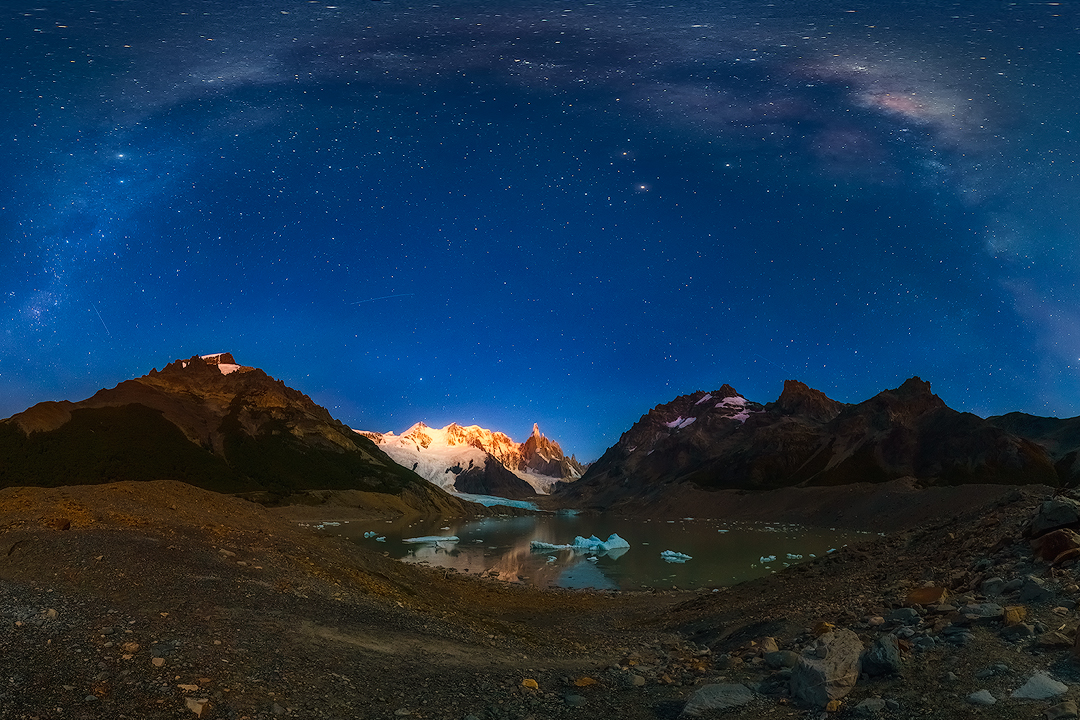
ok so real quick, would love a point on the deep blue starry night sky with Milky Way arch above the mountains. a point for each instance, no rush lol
(566, 213)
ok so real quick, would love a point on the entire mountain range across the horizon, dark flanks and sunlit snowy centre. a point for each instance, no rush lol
(221, 426)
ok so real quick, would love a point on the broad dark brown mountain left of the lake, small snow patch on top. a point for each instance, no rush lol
(207, 422)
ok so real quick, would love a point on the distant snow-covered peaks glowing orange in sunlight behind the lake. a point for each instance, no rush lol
(476, 460)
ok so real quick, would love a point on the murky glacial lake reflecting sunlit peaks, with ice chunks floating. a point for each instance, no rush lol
(721, 553)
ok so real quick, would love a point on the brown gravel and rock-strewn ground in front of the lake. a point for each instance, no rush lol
(161, 601)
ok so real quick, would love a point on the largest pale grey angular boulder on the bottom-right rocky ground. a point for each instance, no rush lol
(828, 670)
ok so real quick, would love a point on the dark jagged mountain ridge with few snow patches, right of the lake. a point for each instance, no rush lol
(722, 441)
